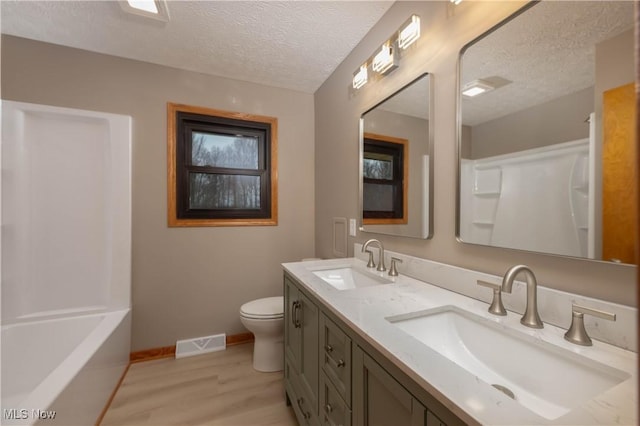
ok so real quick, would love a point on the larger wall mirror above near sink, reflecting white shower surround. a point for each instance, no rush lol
(545, 137)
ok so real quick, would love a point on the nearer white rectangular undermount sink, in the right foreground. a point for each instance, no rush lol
(544, 378)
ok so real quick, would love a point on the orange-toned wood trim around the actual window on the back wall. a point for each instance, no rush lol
(172, 217)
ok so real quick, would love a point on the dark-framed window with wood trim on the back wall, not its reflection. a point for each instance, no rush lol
(222, 168)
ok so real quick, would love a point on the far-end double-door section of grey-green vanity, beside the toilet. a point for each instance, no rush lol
(301, 353)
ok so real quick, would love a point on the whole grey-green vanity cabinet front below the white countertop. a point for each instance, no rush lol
(347, 381)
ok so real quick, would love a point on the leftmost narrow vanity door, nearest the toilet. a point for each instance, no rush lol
(292, 324)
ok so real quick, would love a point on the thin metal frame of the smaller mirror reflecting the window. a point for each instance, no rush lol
(367, 228)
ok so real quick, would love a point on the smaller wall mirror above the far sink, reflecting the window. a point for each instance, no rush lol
(396, 163)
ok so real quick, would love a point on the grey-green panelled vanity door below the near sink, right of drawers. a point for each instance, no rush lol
(378, 399)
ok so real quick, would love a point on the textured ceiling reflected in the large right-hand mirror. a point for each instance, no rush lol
(545, 53)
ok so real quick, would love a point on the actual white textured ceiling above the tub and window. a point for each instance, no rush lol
(290, 44)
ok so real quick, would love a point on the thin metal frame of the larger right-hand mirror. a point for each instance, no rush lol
(459, 83)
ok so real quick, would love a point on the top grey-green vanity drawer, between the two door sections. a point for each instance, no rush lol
(335, 347)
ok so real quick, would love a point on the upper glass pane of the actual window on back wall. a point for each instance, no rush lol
(215, 150)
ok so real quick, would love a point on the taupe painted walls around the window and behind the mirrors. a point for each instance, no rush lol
(191, 282)
